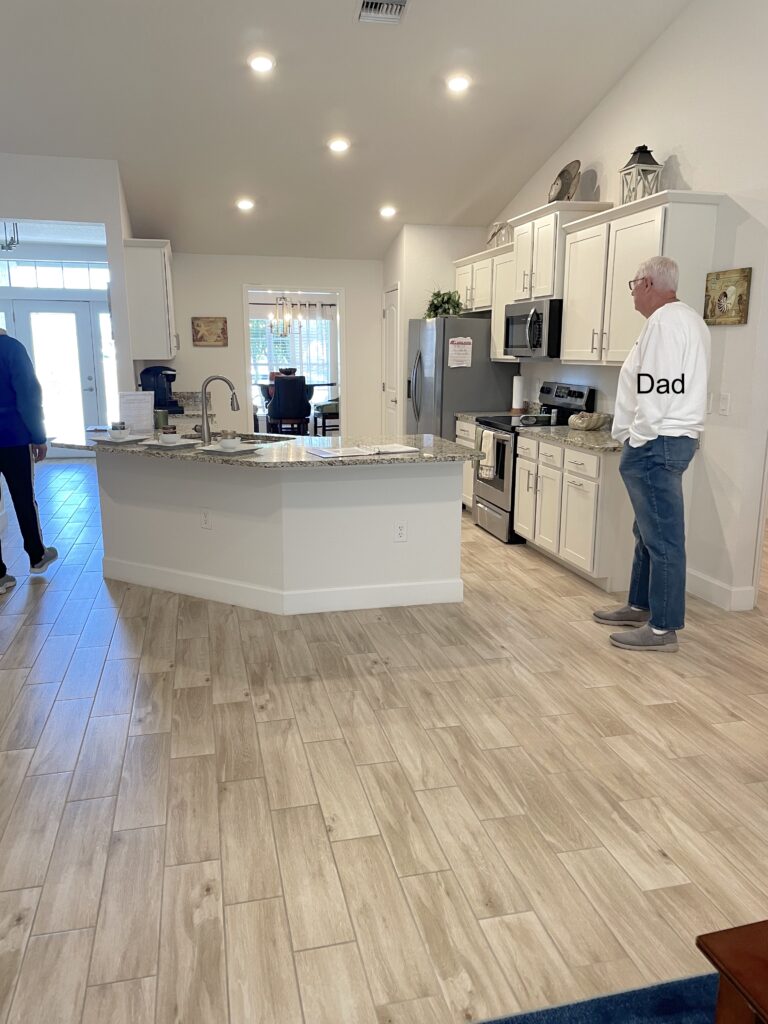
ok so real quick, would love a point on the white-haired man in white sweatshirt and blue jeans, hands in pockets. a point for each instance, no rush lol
(660, 414)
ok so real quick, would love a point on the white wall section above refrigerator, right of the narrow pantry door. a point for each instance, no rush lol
(421, 261)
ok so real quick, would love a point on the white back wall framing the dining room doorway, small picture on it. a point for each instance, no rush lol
(212, 286)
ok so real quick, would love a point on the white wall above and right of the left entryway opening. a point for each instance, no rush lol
(83, 191)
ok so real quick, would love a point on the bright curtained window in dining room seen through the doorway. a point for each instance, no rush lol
(314, 350)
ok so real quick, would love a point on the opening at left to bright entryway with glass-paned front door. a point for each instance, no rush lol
(55, 286)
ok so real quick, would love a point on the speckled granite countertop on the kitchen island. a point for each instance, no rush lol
(280, 452)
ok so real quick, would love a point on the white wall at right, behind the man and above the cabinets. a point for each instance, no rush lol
(701, 108)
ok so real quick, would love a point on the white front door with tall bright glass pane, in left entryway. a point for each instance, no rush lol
(59, 337)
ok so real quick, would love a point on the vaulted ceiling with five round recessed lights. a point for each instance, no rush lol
(163, 88)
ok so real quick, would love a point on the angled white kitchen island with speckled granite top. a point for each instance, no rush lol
(281, 530)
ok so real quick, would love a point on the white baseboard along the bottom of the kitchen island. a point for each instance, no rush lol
(284, 603)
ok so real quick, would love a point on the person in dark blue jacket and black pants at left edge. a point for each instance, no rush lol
(23, 443)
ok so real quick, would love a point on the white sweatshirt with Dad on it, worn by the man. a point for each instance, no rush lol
(673, 348)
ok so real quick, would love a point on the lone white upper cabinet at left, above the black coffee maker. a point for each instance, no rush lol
(150, 291)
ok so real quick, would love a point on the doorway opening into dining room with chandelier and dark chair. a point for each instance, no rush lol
(298, 331)
